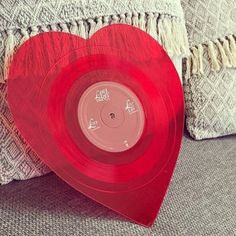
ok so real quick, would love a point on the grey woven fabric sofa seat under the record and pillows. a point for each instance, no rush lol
(200, 201)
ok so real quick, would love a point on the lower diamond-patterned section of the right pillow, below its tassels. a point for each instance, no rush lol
(211, 104)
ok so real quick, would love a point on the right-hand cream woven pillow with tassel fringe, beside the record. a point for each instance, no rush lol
(210, 71)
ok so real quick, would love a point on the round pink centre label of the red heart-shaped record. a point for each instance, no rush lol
(111, 116)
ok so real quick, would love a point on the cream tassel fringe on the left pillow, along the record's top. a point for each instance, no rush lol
(168, 30)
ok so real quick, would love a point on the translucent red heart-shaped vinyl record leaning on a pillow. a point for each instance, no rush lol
(105, 114)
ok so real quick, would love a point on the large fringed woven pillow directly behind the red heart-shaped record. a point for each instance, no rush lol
(163, 20)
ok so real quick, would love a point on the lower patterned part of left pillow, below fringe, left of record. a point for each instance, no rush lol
(17, 160)
